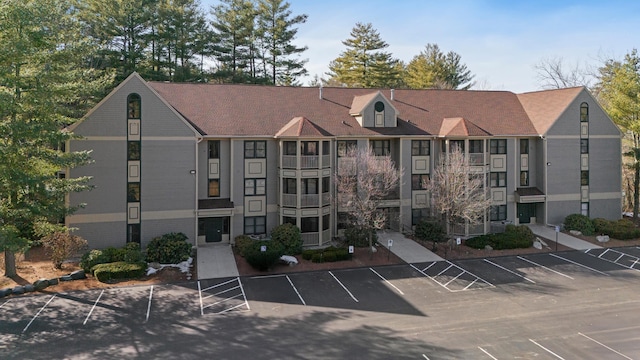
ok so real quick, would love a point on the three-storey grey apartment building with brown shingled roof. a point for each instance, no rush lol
(217, 161)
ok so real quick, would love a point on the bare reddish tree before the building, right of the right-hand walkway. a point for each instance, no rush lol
(456, 193)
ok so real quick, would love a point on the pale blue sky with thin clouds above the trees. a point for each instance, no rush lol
(499, 41)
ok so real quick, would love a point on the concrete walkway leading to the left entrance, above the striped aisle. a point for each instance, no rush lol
(216, 261)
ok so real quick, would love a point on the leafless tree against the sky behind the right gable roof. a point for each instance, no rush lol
(553, 73)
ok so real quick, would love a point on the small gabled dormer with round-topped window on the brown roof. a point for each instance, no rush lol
(374, 110)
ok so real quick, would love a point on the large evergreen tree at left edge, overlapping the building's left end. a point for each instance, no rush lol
(44, 86)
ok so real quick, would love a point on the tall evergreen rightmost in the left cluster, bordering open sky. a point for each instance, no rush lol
(276, 27)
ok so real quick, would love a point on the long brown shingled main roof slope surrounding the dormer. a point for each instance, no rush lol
(252, 110)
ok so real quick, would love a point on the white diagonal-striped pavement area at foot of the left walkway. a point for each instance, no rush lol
(219, 296)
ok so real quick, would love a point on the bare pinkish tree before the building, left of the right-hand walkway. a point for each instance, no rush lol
(362, 181)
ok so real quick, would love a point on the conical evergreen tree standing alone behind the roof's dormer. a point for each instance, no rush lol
(364, 63)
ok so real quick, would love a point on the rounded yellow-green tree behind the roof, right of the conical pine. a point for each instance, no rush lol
(432, 69)
